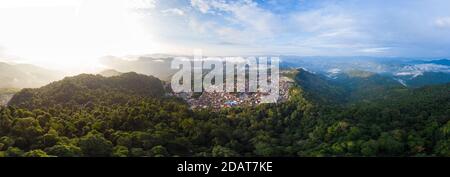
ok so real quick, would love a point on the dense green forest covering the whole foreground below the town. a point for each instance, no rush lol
(128, 115)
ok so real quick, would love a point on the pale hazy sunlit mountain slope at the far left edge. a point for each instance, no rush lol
(25, 76)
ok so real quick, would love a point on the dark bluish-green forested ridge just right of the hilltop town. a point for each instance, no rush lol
(347, 87)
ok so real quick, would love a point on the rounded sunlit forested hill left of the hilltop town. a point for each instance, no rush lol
(88, 89)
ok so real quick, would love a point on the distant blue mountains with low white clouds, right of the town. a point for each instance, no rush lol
(407, 72)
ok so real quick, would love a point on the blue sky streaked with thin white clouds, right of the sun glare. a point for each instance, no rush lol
(323, 27)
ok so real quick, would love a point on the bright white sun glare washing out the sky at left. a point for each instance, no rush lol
(72, 34)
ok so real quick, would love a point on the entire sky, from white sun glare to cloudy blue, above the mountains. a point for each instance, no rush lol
(73, 34)
